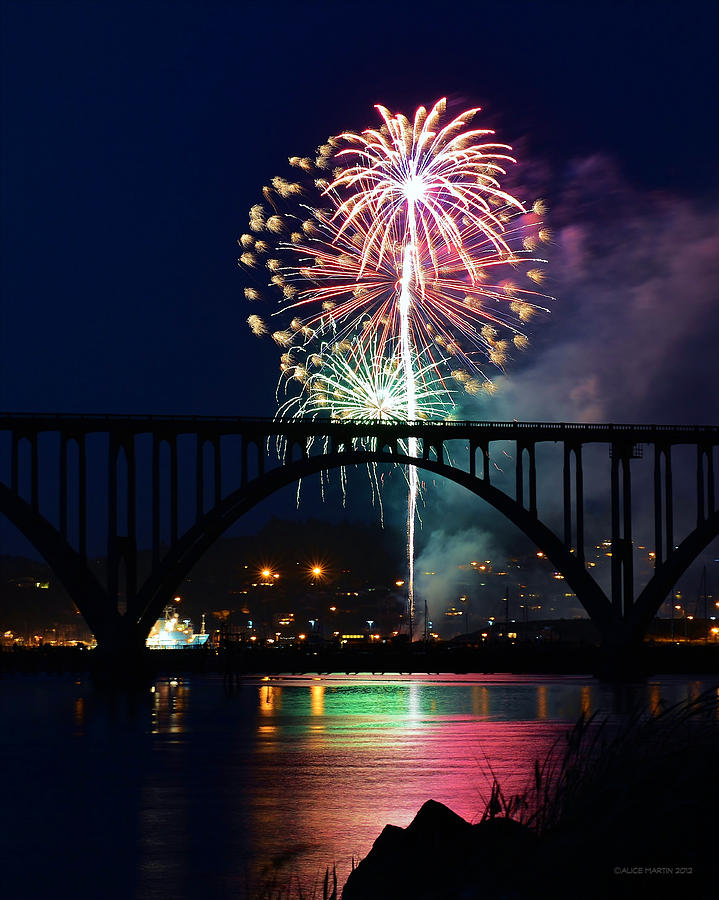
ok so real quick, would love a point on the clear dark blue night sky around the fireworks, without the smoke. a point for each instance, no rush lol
(136, 135)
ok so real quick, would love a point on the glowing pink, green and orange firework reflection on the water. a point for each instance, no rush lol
(349, 764)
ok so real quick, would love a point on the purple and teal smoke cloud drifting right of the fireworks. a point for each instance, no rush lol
(631, 338)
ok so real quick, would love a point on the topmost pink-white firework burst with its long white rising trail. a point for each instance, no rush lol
(404, 179)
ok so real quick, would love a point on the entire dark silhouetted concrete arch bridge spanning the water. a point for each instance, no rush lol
(52, 465)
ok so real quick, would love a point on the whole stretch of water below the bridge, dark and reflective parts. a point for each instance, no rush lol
(187, 791)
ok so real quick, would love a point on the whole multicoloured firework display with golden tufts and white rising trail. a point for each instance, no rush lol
(401, 257)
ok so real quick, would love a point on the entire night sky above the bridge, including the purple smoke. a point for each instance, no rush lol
(135, 136)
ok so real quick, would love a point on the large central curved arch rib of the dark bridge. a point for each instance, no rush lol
(167, 577)
